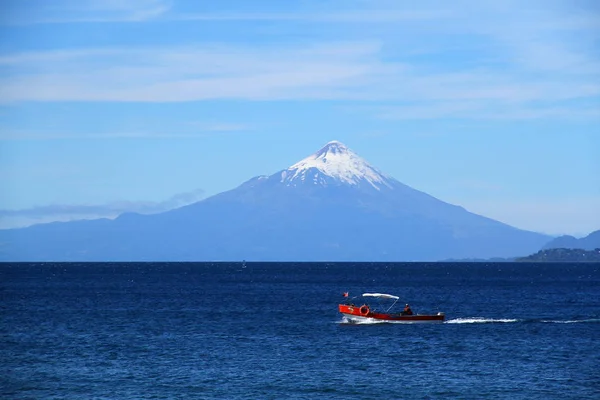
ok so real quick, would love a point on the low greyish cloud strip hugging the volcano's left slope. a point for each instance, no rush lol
(72, 212)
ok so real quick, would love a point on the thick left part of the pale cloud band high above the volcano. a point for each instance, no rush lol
(185, 74)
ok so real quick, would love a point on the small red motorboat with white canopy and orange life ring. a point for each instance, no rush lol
(365, 312)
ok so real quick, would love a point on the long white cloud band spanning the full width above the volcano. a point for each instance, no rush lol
(347, 71)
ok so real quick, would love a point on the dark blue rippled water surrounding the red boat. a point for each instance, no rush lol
(272, 331)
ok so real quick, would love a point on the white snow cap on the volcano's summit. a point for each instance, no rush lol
(335, 163)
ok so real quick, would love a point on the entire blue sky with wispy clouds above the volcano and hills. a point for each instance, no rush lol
(134, 104)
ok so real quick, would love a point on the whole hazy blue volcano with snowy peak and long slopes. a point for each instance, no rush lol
(332, 206)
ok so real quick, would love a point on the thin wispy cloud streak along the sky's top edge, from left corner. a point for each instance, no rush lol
(131, 11)
